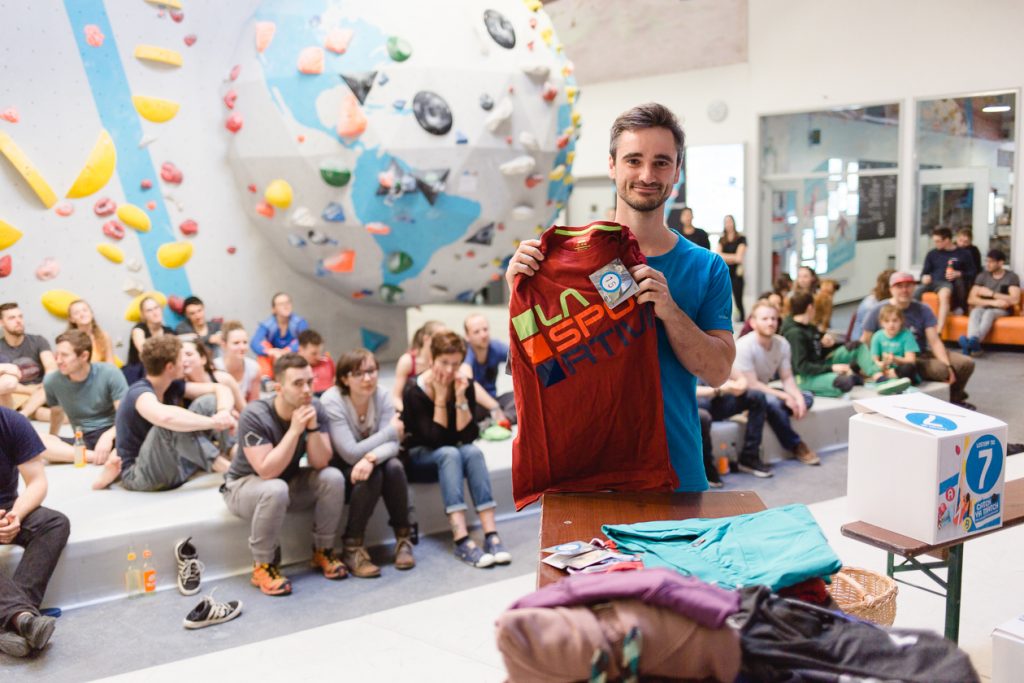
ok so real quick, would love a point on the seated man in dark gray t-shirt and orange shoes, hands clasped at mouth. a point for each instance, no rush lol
(267, 479)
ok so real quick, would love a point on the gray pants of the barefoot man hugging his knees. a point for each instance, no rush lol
(167, 458)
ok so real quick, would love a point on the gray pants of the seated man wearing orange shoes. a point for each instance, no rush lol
(266, 502)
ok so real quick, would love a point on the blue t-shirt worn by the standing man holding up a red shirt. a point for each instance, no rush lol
(699, 282)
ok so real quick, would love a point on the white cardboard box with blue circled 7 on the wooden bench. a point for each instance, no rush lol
(926, 468)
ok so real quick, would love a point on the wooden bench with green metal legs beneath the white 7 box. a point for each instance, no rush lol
(950, 554)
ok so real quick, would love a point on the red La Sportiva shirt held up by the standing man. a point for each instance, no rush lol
(588, 393)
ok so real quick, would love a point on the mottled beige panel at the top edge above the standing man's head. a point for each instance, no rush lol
(610, 40)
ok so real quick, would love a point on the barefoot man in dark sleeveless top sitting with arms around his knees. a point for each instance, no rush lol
(160, 443)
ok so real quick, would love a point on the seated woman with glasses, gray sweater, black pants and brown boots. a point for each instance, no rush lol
(366, 434)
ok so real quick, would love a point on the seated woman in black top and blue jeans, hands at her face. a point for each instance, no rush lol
(439, 418)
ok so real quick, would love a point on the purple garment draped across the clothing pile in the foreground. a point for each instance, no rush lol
(708, 606)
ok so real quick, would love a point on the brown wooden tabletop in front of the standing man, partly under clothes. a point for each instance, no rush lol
(568, 518)
